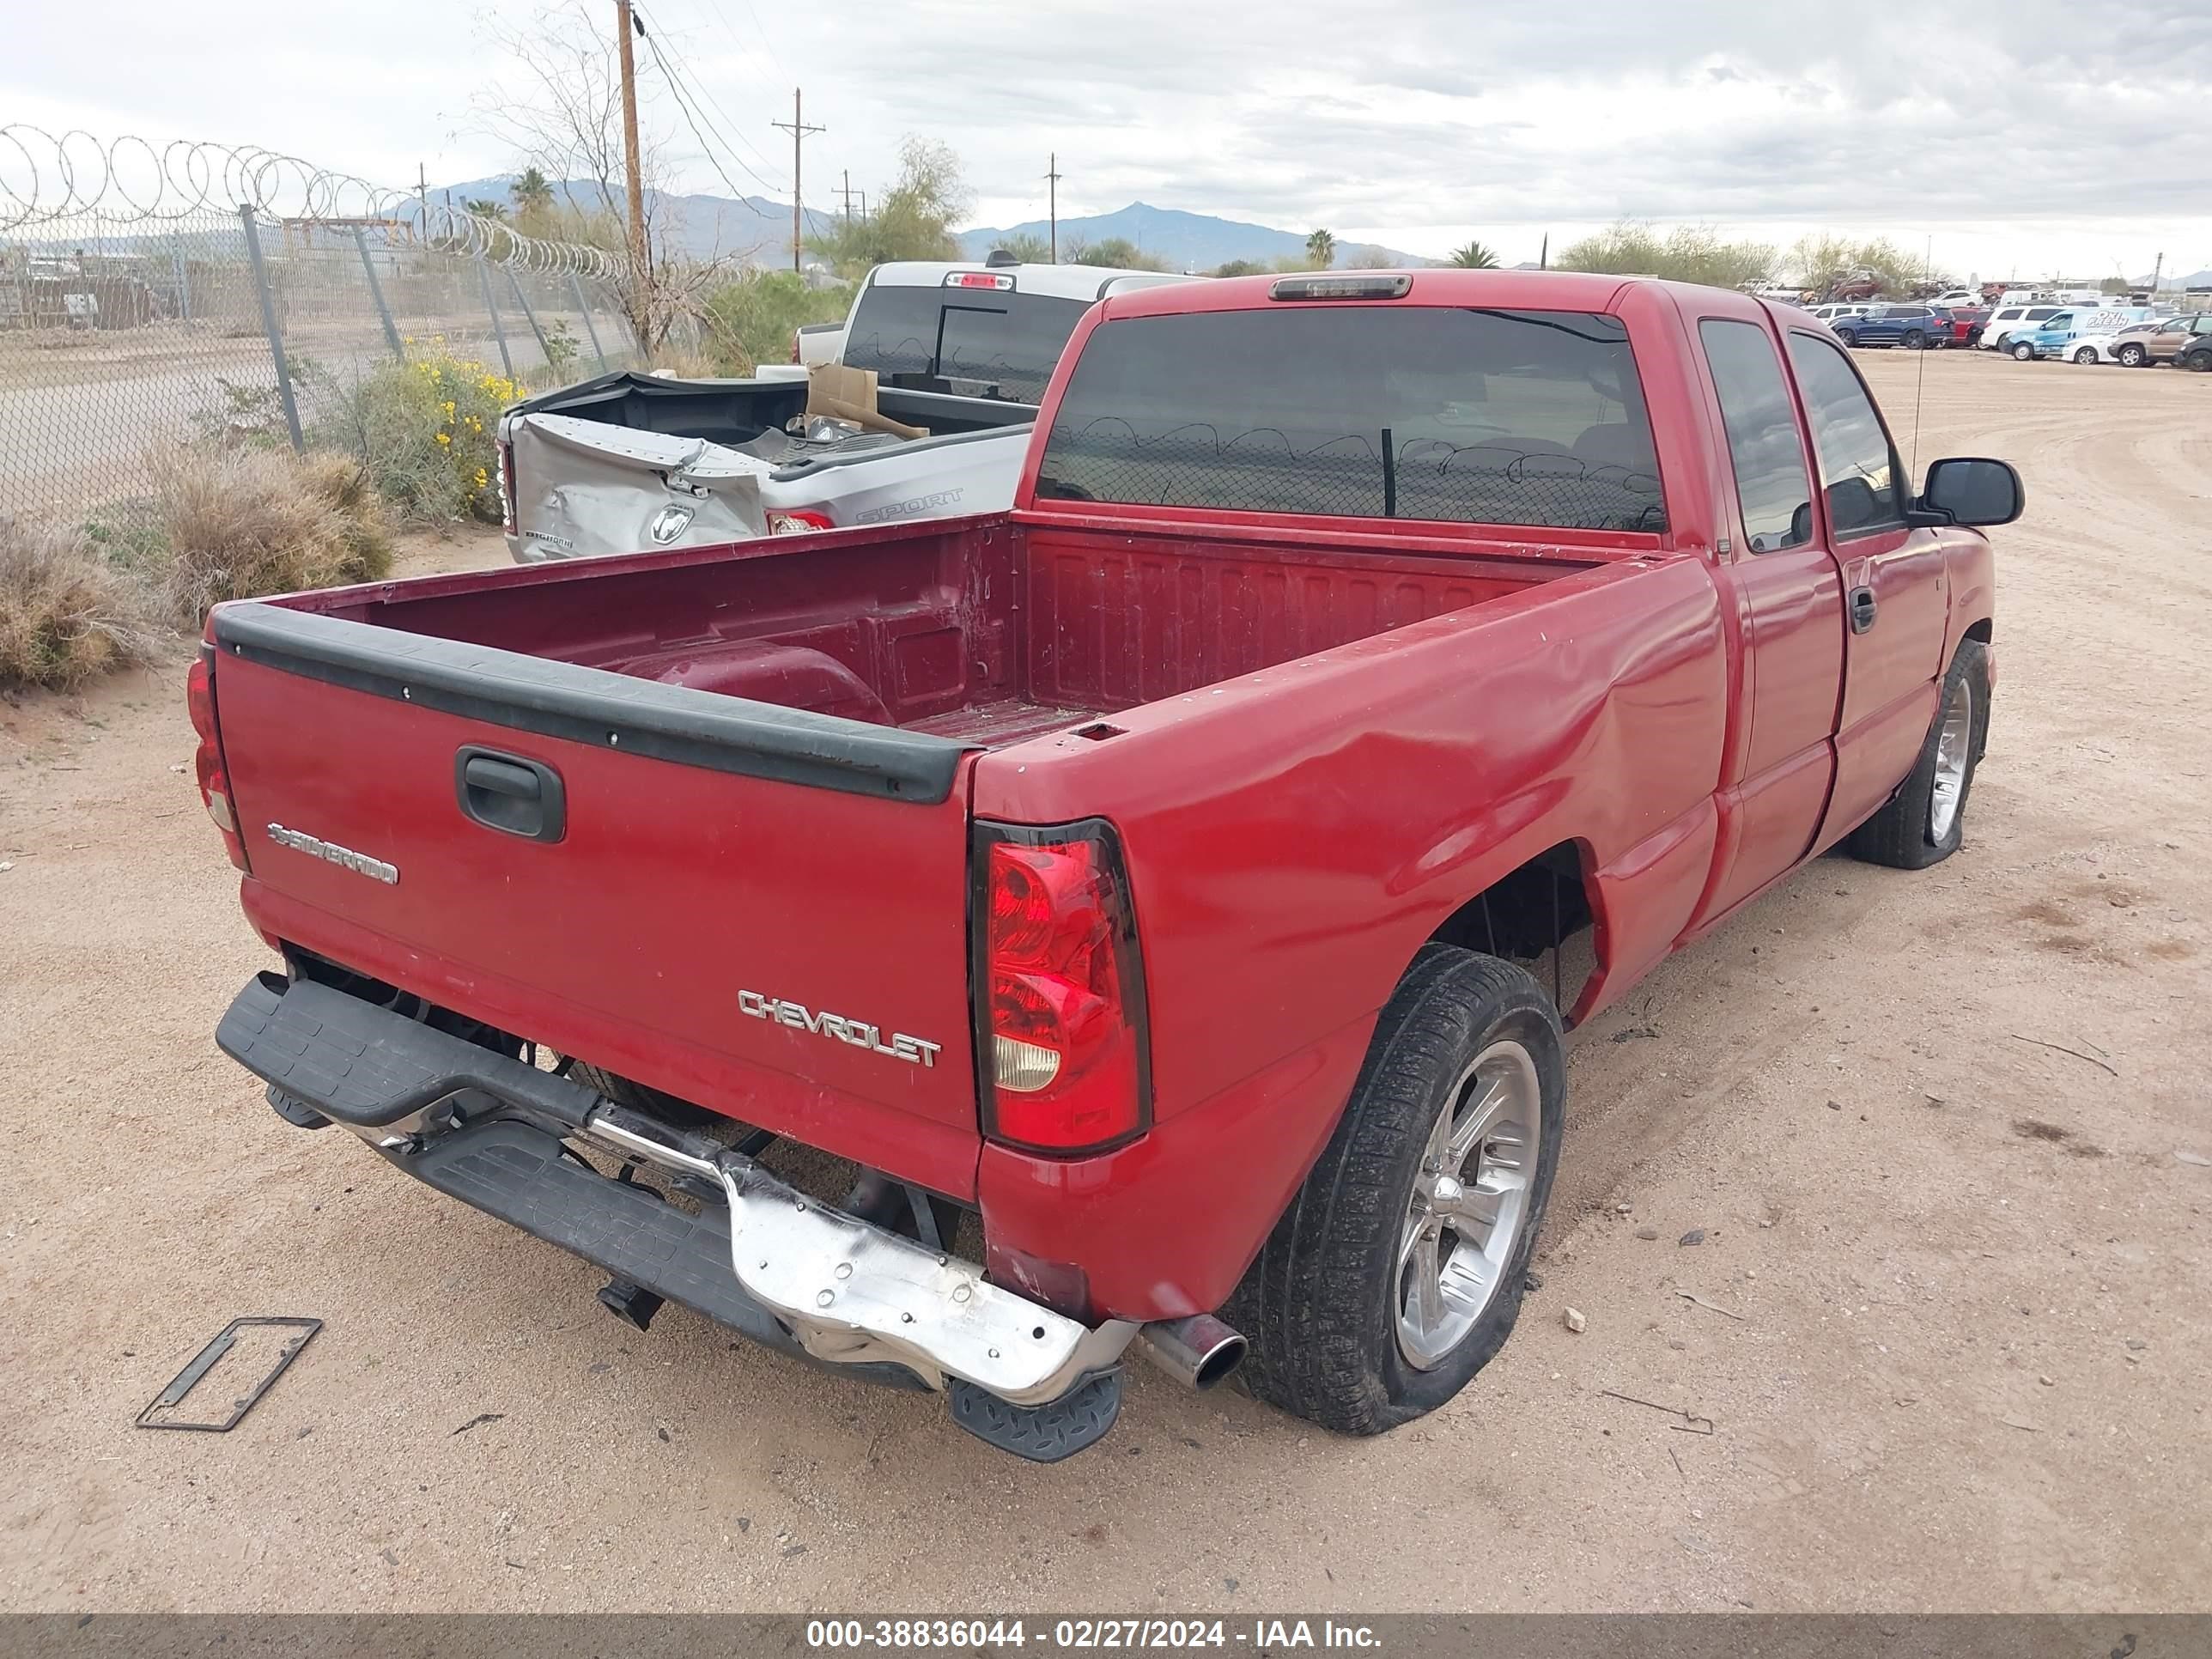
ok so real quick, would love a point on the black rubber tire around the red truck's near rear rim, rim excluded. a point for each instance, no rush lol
(1322, 1302)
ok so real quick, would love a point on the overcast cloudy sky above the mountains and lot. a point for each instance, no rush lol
(2056, 138)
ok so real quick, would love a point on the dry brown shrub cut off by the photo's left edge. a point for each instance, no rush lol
(65, 612)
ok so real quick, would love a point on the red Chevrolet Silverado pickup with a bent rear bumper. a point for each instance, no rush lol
(1145, 917)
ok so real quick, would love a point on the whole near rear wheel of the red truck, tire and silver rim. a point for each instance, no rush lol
(1399, 1269)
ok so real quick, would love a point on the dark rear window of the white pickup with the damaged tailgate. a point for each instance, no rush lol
(979, 342)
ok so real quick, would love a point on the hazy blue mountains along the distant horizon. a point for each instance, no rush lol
(760, 229)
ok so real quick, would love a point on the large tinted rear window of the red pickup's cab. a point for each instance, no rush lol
(1421, 413)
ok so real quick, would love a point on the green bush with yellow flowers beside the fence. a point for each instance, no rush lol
(426, 432)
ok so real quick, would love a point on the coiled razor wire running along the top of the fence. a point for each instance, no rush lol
(74, 178)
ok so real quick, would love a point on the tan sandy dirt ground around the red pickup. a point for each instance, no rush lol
(1950, 1335)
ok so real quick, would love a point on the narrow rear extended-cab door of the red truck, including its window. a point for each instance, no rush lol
(1788, 596)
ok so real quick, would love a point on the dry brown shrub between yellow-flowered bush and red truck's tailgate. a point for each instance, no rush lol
(262, 521)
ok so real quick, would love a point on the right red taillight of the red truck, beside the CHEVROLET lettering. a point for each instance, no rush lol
(1061, 990)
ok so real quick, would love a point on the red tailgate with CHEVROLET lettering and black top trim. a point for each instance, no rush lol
(709, 915)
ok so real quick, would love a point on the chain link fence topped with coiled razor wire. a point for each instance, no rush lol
(209, 295)
